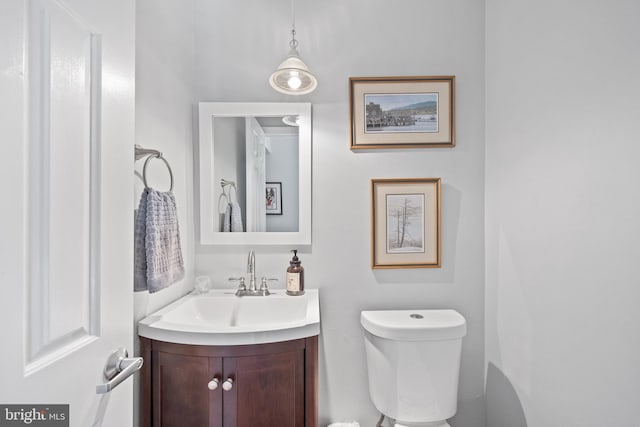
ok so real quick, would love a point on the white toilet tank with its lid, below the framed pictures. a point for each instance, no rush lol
(413, 360)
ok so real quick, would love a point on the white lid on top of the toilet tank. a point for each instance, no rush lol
(414, 325)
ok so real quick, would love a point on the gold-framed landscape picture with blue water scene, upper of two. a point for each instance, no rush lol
(402, 112)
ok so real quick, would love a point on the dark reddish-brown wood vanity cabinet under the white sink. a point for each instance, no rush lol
(272, 384)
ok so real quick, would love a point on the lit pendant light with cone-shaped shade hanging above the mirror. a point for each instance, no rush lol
(293, 76)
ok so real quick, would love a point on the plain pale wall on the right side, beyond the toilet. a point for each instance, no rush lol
(562, 213)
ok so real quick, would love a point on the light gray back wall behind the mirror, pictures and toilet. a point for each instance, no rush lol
(239, 44)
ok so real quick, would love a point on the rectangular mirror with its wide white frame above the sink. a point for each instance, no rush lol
(255, 173)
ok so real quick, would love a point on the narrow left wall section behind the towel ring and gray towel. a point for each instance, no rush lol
(164, 121)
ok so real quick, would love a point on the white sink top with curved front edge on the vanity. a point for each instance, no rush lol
(218, 317)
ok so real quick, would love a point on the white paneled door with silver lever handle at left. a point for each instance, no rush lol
(66, 235)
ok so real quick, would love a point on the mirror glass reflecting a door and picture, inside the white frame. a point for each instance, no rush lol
(250, 152)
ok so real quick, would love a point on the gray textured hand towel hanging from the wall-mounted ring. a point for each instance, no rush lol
(158, 254)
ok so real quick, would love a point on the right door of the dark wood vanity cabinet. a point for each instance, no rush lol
(268, 390)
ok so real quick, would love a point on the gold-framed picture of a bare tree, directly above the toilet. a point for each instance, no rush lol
(405, 223)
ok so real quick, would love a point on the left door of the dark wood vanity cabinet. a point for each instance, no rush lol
(181, 396)
